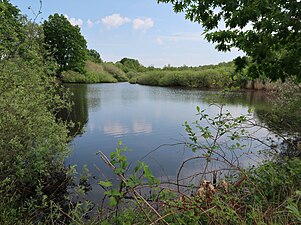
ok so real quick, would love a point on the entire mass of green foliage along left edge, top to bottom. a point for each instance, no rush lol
(33, 142)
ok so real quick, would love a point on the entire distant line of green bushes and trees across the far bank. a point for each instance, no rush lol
(222, 75)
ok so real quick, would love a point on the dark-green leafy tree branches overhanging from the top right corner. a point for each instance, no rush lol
(268, 32)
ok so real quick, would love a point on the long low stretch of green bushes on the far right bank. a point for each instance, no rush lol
(209, 76)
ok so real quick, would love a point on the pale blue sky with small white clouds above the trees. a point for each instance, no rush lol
(138, 29)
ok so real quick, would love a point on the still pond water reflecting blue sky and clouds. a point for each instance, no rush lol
(146, 119)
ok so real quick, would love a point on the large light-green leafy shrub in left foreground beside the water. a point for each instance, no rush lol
(33, 144)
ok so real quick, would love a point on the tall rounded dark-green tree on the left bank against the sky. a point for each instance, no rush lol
(65, 43)
